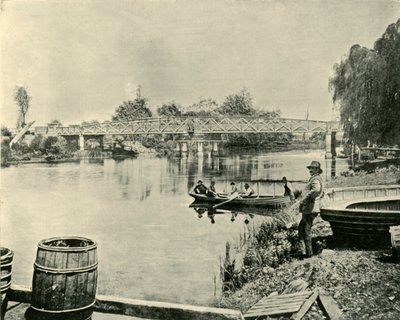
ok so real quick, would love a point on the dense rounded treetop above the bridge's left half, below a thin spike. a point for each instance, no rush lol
(132, 110)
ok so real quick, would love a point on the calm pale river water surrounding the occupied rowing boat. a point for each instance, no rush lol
(151, 245)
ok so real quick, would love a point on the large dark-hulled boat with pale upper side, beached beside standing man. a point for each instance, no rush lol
(363, 211)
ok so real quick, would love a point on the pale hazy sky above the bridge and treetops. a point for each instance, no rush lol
(79, 60)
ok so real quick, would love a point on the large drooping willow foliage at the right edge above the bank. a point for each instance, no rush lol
(366, 86)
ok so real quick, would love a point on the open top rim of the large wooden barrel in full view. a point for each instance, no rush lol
(67, 243)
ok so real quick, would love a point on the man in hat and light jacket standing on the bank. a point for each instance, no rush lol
(310, 207)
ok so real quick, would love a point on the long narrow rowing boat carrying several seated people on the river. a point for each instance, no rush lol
(262, 201)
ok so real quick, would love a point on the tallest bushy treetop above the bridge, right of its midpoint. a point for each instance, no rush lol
(238, 104)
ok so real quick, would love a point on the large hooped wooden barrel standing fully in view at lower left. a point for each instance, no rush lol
(65, 275)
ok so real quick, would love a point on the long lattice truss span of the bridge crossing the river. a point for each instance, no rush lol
(182, 125)
